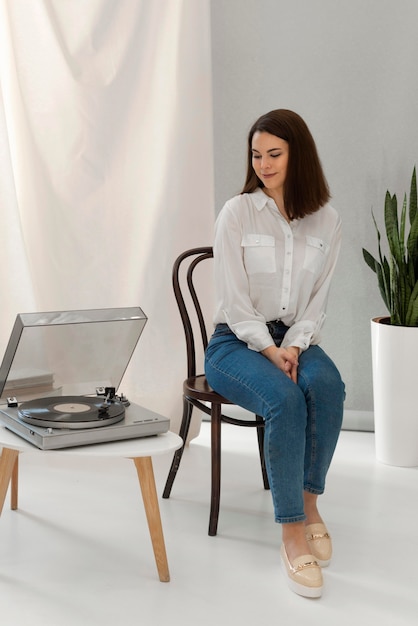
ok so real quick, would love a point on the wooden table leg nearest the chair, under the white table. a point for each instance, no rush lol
(149, 495)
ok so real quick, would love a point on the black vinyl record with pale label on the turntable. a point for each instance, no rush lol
(71, 412)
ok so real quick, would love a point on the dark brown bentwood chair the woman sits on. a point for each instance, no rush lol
(196, 390)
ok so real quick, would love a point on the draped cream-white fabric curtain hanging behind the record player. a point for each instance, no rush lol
(105, 166)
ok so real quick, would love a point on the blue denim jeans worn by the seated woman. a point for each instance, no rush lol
(302, 421)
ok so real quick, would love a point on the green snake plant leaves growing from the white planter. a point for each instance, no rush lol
(397, 275)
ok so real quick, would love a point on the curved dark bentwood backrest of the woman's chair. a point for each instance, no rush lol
(188, 302)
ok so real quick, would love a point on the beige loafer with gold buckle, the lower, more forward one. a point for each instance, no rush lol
(304, 575)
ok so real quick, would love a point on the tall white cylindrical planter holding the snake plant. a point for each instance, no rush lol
(395, 393)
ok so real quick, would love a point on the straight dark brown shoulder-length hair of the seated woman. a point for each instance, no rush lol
(305, 188)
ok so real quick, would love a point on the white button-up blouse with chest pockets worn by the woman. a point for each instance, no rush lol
(267, 269)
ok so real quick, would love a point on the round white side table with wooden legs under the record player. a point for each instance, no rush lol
(139, 450)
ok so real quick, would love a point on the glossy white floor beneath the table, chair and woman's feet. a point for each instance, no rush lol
(78, 551)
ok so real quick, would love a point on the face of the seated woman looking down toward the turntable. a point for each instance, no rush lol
(269, 160)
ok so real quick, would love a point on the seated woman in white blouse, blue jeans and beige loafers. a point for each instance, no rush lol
(275, 250)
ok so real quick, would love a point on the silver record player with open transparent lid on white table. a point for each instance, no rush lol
(60, 376)
